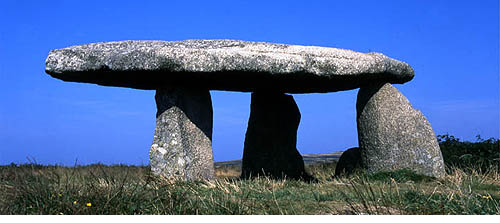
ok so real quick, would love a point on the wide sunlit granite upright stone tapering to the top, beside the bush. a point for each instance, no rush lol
(392, 135)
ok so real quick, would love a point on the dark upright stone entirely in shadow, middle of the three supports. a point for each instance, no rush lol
(271, 138)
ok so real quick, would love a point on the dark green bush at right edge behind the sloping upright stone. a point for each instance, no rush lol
(482, 155)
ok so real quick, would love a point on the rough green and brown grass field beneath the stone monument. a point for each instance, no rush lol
(100, 189)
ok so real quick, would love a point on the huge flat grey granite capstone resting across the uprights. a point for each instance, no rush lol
(224, 65)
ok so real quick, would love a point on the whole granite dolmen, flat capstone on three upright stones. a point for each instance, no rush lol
(392, 134)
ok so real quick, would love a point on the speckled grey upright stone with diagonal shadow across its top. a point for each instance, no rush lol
(182, 144)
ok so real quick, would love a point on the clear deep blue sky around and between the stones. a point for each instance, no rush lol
(453, 47)
